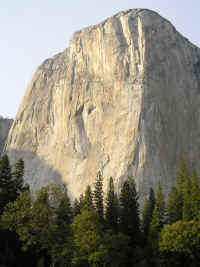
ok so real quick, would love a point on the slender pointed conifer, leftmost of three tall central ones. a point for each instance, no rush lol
(98, 196)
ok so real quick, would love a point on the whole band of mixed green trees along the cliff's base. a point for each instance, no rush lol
(47, 229)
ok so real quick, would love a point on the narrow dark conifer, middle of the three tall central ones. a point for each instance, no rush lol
(111, 212)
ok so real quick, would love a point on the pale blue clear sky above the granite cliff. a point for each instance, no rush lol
(31, 31)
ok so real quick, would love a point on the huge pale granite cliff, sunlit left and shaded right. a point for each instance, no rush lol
(124, 98)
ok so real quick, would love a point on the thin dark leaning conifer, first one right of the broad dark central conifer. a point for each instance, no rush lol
(148, 212)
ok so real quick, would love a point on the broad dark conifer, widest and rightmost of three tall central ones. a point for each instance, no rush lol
(129, 212)
